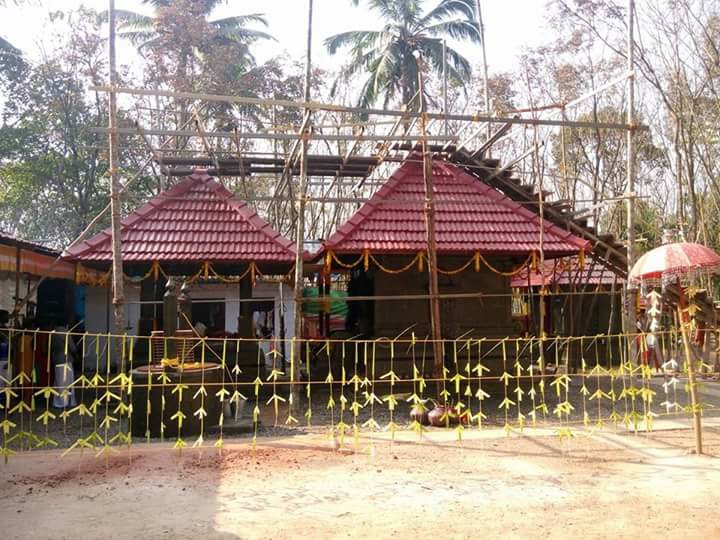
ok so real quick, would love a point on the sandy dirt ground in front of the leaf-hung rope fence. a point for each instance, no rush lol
(597, 485)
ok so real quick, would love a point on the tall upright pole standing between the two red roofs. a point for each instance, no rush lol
(300, 225)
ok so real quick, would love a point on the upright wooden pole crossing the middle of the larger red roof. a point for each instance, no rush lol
(434, 289)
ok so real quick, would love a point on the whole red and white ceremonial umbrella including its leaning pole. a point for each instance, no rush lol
(679, 263)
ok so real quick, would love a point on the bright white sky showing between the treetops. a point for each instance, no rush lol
(27, 27)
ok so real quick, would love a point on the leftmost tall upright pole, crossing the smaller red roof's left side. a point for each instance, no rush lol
(117, 265)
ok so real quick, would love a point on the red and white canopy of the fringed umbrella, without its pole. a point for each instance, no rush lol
(670, 263)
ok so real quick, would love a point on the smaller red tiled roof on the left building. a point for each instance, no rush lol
(196, 220)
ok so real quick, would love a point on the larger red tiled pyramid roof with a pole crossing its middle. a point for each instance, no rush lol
(469, 216)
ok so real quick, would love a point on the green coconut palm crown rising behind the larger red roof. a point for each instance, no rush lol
(391, 57)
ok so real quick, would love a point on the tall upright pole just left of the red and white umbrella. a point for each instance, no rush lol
(630, 295)
